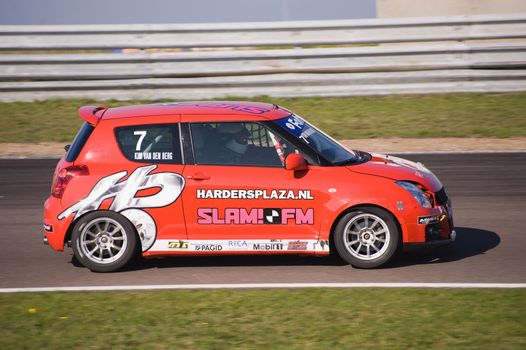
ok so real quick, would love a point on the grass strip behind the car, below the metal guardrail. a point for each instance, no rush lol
(447, 115)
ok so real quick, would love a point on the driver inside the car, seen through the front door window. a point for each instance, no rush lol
(235, 142)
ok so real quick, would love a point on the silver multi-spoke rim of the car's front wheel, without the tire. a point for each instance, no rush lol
(366, 236)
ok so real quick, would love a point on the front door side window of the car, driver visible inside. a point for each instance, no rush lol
(239, 143)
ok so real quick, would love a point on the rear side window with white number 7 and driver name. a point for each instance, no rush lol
(150, 143)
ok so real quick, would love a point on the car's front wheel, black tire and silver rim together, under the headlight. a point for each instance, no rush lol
(367, 237)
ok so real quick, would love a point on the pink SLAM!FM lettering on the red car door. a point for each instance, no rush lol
(255, 216)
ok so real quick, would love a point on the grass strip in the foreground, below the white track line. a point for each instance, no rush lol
(277, 319)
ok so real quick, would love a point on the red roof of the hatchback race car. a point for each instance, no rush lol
(212, 108)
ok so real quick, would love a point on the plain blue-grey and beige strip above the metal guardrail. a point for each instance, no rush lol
(204, 11)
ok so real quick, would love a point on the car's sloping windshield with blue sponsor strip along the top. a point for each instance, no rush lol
(321, 143)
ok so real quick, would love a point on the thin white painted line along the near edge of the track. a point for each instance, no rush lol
(262, 285)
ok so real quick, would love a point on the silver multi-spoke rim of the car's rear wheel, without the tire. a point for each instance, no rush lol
(103, 240)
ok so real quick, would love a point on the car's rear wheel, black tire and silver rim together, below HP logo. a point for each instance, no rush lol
(104, 241)
